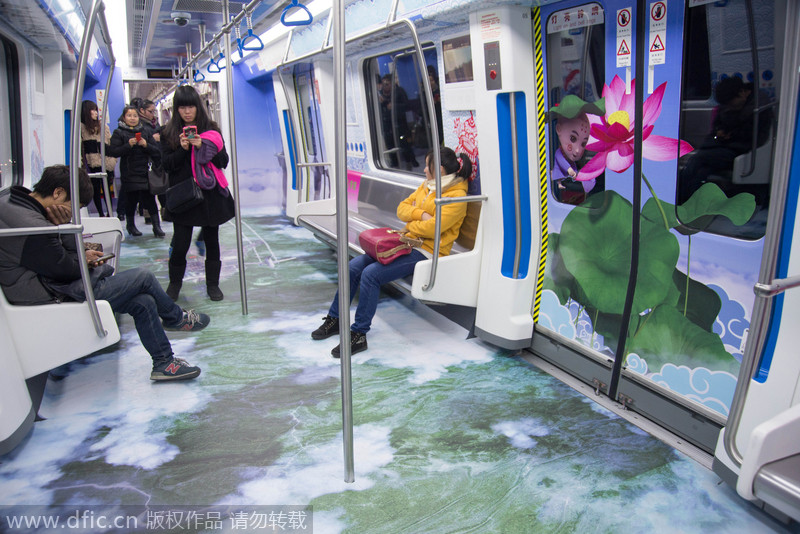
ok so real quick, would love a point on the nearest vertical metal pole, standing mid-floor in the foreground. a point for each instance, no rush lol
(340, 164)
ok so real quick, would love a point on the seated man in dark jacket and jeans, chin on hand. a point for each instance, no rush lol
(43, 269)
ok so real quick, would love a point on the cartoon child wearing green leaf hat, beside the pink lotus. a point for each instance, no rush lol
(572, 130)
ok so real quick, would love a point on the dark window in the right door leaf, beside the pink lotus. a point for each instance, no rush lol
(728, 113)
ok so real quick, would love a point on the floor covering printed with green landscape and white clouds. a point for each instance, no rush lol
(451, 435)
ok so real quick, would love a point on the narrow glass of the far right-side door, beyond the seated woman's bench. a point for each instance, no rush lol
(319, 184)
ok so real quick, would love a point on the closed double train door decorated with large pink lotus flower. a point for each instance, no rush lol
(650, 263)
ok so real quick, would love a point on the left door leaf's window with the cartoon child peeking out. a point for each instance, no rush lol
(575, 74)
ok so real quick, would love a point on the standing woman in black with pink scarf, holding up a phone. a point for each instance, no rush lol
(181, 154)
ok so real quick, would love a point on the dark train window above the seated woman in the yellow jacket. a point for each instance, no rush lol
(398, 112)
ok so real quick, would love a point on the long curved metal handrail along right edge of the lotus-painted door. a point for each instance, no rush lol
(762, 310)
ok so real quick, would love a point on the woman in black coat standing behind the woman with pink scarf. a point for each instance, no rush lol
(136, 147)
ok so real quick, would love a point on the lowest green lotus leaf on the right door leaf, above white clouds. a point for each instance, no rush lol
(666, 336)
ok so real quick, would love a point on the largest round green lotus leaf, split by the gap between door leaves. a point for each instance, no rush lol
(595, 246)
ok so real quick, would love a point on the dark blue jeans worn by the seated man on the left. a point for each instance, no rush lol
(138, 293)
